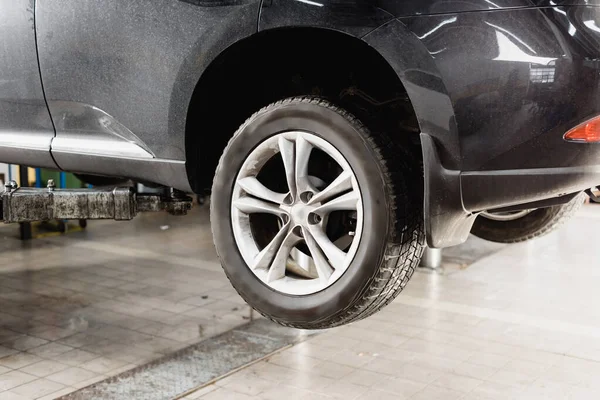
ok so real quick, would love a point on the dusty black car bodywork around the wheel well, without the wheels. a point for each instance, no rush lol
(494, 85)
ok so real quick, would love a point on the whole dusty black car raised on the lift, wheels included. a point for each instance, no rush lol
(344, 134)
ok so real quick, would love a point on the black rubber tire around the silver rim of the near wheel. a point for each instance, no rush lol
(391, 238)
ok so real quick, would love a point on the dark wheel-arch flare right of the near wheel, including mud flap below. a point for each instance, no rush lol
(446, 221)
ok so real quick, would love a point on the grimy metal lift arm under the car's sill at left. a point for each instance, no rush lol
(44, 204)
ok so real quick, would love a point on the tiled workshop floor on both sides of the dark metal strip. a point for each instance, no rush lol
(522, 323)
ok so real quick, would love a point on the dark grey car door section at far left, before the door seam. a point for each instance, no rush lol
(25, 127)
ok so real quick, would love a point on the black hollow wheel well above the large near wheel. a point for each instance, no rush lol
(230, 73)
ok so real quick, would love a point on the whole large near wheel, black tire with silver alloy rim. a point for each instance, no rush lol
(316, 221)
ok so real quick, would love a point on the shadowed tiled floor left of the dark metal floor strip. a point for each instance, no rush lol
(78, 308)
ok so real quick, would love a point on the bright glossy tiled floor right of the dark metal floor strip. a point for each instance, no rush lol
(523, 323)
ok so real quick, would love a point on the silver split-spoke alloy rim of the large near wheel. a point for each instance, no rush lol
(301, 257)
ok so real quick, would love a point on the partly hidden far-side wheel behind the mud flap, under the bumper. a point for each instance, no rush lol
(538, 222)
